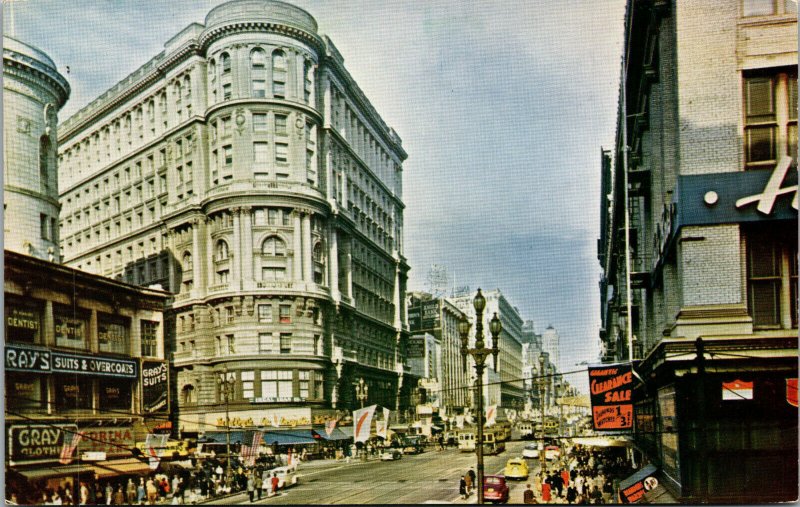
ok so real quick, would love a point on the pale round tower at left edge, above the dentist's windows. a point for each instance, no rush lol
(33, 92)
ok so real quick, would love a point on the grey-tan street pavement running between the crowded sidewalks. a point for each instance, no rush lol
(432, 476)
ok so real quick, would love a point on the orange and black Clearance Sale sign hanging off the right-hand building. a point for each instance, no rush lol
(611, 388)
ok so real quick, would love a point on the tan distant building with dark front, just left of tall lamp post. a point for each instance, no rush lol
(439, 317)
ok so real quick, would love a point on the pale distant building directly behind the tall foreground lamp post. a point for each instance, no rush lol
(503, 387)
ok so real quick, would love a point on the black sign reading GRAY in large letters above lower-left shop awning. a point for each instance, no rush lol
(37, 442)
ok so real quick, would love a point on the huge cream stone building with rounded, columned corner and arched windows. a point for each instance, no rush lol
(244, 170)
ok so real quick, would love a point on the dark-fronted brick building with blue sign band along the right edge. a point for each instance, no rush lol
(706, 157)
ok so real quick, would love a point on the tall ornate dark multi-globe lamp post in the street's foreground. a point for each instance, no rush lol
(479, 354)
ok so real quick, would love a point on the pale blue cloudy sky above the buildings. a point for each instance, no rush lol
(503, 107)
